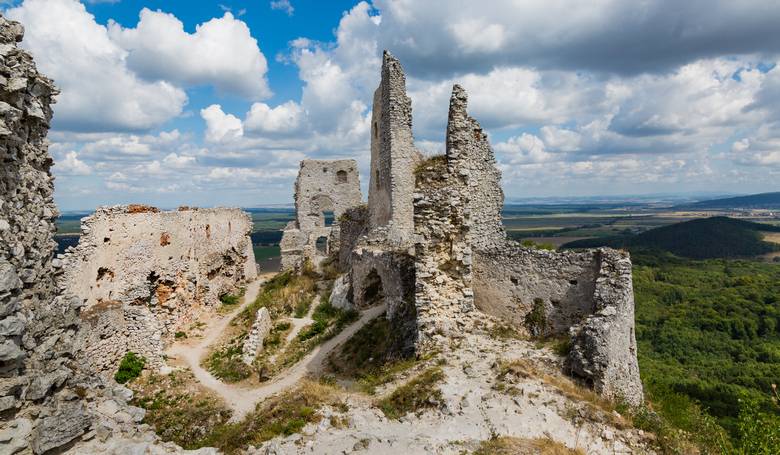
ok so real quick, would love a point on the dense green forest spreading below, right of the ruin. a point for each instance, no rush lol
(709, 330)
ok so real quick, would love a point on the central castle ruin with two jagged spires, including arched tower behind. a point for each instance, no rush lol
(431, 244)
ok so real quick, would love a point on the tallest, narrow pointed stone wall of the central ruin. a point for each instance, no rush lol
(393, 154)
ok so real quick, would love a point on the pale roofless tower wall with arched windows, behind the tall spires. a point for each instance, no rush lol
(322, 186)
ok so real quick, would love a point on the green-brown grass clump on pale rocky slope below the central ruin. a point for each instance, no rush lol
(420, 393)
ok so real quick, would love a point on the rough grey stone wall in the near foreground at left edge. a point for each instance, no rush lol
(37, 327)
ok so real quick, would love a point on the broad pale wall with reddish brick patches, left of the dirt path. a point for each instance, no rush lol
(143, 275)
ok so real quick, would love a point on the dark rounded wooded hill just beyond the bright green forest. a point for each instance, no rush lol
(716, 237)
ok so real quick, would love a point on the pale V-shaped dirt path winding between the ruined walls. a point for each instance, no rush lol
(242, 400)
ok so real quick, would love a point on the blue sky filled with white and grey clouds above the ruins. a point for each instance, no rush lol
(201, 103)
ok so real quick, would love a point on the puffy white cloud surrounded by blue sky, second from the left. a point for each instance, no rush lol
(221, 52)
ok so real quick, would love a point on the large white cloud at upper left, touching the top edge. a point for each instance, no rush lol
(99, 92)
